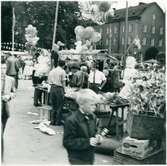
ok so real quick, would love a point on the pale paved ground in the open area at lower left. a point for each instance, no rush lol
(26, 145)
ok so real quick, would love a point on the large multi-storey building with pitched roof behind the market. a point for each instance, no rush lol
(145, 21)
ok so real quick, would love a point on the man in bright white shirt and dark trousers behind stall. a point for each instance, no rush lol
(96, 79)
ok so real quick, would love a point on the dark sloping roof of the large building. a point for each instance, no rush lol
(133, 12)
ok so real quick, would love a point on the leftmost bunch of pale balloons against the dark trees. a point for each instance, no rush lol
(31, 35)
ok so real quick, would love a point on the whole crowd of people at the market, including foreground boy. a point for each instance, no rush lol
(80, 130)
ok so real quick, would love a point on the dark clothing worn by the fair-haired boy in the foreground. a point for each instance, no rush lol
(77, 132)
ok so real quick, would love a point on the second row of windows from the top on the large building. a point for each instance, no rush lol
(143, 42)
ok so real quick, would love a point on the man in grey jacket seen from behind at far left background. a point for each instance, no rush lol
(12, 68)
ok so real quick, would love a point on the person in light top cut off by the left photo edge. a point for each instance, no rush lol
(7, 86)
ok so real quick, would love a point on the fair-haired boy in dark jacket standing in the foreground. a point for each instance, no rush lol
(80, 130)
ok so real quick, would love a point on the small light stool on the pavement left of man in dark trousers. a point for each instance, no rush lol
(44, 112)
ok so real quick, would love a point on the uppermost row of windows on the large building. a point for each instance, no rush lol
(145, 29)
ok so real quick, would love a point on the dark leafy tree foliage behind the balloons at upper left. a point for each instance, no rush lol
(41, 14)
